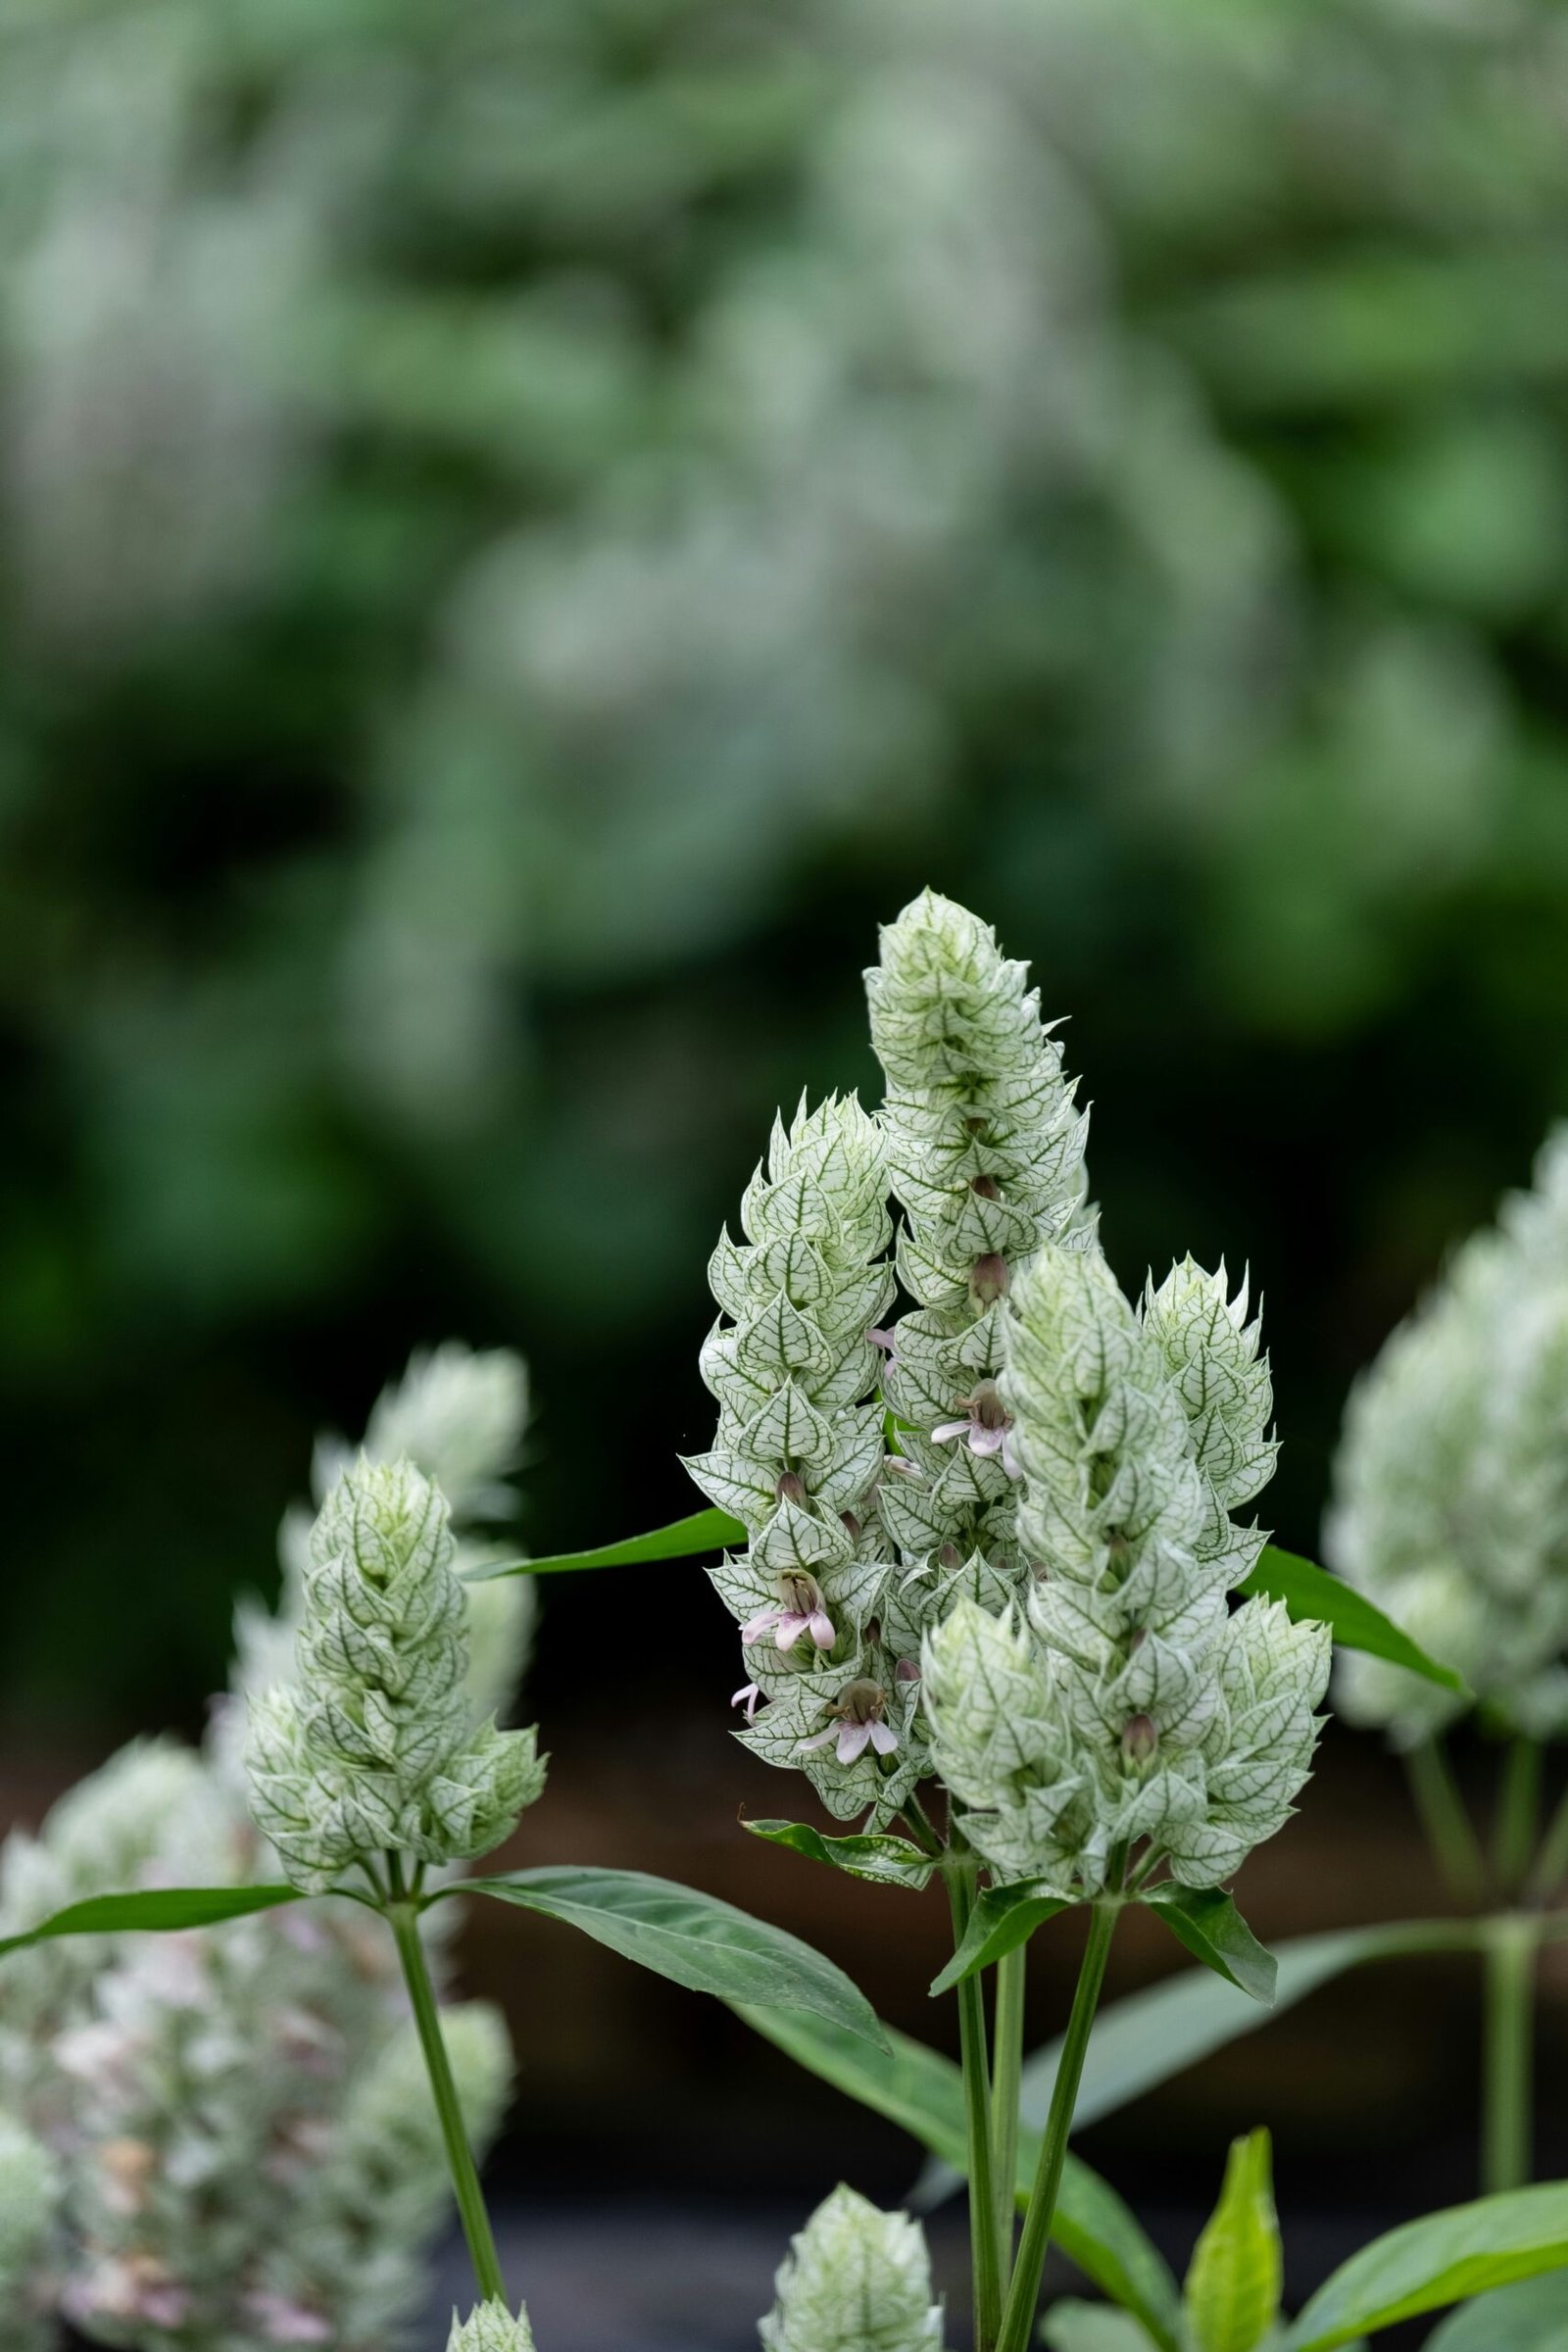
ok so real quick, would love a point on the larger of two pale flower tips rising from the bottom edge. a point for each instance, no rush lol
(857, 2280)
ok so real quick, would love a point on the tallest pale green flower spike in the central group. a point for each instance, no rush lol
(986, 1158)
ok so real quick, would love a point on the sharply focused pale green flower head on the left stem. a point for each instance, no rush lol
(375, 1751)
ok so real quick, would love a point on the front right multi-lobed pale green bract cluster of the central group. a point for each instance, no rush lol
(1127, 1702)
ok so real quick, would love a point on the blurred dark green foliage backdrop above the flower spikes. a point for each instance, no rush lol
(530, 523)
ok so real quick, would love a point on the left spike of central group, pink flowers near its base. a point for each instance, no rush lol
(798, 1457)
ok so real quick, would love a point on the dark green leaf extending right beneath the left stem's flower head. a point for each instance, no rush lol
(692, 1939)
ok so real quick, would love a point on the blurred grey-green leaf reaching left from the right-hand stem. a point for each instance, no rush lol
(1153, 2036)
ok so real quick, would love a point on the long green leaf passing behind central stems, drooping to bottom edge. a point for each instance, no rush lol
(925, 2092)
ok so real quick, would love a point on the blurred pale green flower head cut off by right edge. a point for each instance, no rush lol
(1452, 1483)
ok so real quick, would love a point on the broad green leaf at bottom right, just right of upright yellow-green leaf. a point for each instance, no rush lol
(1440, 2259)
